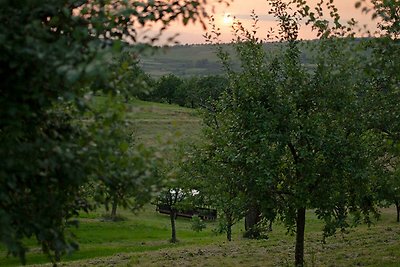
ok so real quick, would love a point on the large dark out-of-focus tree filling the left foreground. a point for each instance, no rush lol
(52, 53)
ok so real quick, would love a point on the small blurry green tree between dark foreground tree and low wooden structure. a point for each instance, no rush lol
(127, 172)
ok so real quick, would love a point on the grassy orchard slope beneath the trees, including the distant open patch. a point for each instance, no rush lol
(142, 239)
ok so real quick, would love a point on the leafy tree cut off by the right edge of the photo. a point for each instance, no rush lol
(382, 94)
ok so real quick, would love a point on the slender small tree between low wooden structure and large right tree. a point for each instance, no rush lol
(218, 183)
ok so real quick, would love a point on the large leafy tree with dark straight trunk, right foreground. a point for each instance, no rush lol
(296, 134)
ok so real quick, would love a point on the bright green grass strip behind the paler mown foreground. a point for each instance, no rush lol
(145, 231)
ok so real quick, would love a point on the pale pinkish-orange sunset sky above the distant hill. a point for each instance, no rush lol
(241, 9)
